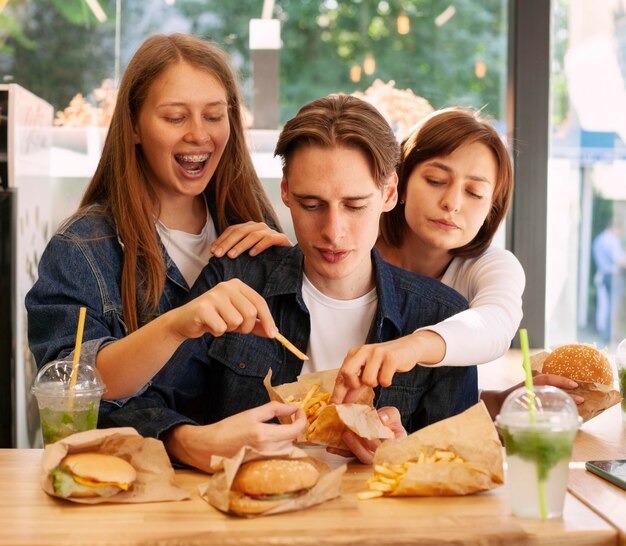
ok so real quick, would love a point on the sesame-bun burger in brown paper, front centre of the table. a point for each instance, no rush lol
(253, 483)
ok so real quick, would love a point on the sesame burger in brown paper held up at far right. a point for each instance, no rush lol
(589, 367)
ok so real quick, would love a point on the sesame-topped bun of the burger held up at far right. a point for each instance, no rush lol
(580, 363)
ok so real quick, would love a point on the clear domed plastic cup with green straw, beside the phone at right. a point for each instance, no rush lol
(538, 453)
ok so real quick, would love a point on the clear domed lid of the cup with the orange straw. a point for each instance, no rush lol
(54, 380)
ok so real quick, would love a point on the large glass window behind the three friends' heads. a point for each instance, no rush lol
(449, 53)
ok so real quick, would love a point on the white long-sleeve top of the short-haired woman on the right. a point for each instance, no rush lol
(493, 284)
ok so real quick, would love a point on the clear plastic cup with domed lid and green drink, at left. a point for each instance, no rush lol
(62, 410)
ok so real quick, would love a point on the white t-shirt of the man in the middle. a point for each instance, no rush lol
(336, 326)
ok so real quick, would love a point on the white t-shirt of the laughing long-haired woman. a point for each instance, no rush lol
(190, 252)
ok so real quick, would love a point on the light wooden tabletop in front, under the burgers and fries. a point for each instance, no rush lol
(30, 517)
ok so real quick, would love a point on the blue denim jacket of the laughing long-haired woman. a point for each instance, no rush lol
(82, 266)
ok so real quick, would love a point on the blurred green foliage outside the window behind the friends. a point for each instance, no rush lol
(57, 48)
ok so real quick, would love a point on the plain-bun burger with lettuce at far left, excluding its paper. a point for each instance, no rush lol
(92, 475)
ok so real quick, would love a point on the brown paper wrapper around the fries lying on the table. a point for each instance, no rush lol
(471, 435)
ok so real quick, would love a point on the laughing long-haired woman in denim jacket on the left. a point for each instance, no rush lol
(174, 186)
